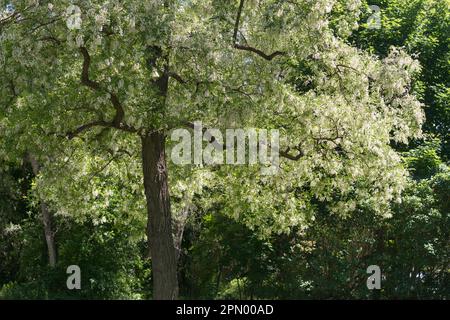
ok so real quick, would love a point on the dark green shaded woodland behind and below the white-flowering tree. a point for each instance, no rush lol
(222, 258)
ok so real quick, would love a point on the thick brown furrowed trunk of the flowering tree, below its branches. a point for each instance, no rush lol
(159, 228)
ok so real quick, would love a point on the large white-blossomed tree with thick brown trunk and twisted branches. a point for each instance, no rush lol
(115, 77)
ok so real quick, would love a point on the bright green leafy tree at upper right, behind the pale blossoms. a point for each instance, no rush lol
(421, 27)
